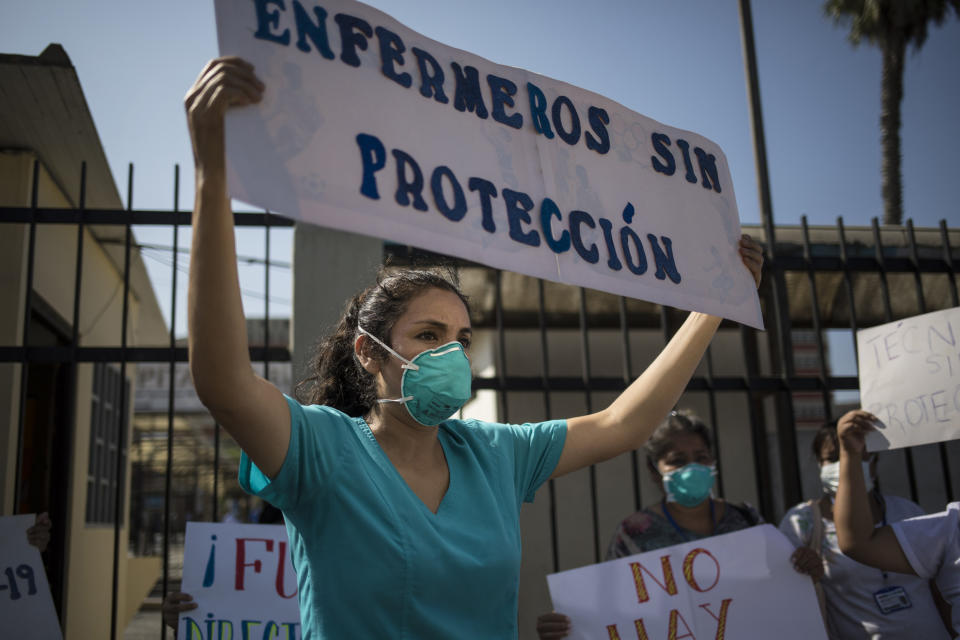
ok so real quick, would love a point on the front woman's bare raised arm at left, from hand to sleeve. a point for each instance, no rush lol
(251, 409)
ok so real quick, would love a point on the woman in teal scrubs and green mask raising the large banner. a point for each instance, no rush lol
(403, 519)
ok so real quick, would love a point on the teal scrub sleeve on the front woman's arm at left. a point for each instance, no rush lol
(316, 433)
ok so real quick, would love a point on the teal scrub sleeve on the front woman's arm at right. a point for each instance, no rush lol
(537, 448)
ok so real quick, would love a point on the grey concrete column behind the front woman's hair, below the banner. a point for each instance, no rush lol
(329, 267)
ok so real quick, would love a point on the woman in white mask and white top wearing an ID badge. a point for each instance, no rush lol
(859, 601)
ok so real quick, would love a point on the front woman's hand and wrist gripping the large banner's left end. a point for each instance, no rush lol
(223, 83)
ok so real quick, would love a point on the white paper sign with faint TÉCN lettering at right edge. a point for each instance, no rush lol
(910, 379)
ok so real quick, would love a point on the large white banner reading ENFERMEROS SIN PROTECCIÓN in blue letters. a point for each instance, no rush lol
(369, 127)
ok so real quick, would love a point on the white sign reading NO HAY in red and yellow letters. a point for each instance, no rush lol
(733, 586)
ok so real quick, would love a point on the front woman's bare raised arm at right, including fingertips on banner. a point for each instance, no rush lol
(631, 418)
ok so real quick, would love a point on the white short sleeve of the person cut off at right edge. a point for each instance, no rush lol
(926, 540)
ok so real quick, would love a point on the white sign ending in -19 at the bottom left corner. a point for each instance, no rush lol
(26, 607)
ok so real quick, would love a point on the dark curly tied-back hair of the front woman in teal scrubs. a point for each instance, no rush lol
(335, 377)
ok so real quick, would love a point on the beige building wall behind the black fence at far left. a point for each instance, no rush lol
(89, 547)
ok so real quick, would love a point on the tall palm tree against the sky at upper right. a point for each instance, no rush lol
(891, 25)
